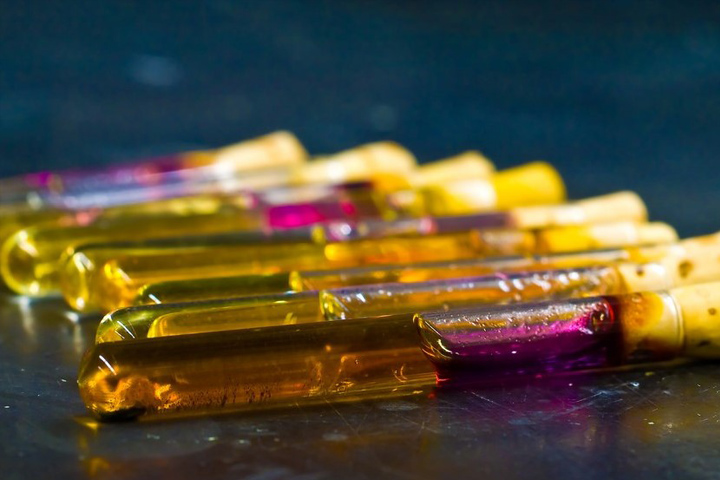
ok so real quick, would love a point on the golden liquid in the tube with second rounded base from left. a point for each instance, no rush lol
(107, 279)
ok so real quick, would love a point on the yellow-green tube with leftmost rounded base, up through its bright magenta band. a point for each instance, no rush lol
(30, 259)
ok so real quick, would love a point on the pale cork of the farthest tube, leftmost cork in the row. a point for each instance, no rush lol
(279, 149)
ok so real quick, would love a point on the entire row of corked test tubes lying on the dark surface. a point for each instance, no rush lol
(253, 276)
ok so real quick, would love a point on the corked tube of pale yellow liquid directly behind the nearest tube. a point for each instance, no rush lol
(396, 298)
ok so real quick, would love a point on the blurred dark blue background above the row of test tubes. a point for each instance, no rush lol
(617, 94)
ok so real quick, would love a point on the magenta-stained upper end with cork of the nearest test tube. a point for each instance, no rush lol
(576, 334)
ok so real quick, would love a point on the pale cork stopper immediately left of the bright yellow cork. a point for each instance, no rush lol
(466, 165)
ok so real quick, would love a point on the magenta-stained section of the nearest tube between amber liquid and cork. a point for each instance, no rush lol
(525, 339)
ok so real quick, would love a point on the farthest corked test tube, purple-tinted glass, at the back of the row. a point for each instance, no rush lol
(66, 189)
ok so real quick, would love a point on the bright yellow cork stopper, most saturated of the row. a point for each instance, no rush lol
(533, 183)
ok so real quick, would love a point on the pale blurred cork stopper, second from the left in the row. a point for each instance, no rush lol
(366, 162)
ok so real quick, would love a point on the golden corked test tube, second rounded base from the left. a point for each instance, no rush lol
(105, 278)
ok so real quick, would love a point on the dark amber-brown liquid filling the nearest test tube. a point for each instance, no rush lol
(249, 370)
